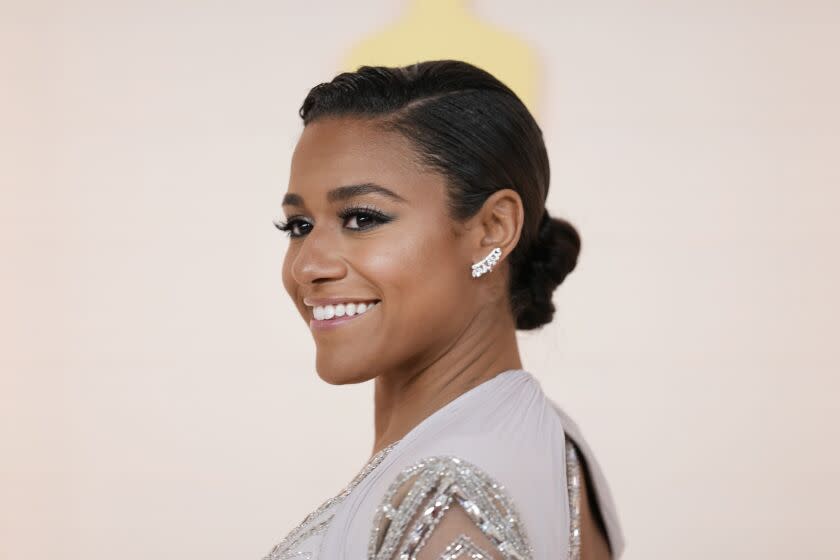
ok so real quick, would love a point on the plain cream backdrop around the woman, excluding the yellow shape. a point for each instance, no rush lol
(158, 397)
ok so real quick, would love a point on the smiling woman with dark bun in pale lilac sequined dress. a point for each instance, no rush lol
(419, 244)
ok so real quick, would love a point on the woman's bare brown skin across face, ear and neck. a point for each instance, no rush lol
(437, 331)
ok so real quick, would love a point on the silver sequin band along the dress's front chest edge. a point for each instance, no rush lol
(312, 525)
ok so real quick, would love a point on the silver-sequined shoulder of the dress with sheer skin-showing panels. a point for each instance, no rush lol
(444, 506)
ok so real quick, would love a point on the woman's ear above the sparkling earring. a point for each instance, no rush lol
(498, 224)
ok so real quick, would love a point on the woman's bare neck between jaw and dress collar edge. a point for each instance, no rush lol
(402, 400)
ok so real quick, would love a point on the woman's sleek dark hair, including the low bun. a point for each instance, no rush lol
(469, 126)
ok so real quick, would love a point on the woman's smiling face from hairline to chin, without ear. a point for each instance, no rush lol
(354, 244)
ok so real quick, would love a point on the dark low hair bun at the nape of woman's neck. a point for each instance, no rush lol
(551, 257)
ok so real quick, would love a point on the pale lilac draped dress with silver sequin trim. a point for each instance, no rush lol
(494, 473)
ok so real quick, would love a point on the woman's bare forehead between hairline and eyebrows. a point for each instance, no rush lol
(336, 151)
